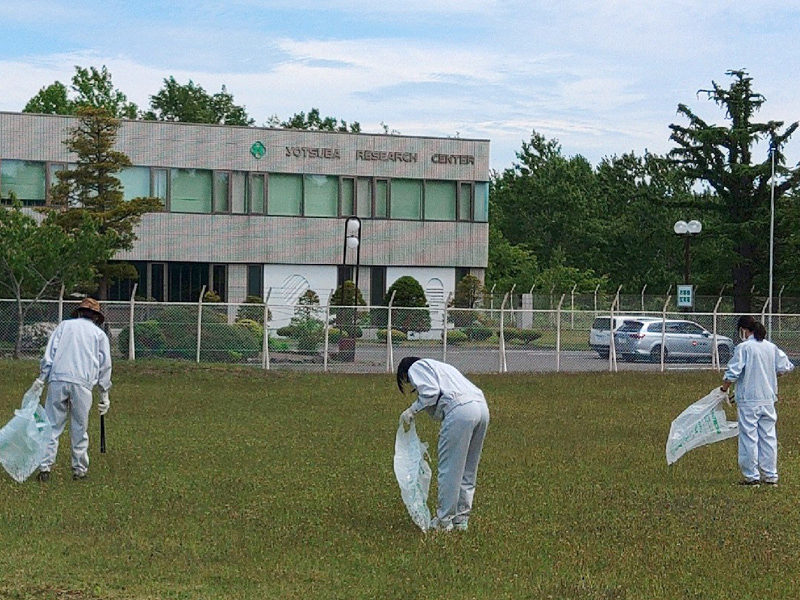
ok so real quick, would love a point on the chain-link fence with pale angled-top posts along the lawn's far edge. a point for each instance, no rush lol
(375, 338)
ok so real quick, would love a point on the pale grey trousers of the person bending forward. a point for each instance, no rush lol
(459, 452)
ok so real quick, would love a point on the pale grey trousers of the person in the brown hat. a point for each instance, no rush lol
(68, 400)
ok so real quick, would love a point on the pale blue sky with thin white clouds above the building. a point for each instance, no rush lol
(602, 77)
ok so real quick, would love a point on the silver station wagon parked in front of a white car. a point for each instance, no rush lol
(683, 341)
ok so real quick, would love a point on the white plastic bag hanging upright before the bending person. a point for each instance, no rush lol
(413, 474)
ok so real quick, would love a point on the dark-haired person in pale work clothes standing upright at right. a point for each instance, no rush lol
(755, 367)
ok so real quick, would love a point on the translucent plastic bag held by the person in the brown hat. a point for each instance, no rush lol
(24, 439)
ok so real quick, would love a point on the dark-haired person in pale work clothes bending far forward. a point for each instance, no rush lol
(447, 396)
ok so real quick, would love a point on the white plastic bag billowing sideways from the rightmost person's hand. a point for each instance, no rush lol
(703, 422)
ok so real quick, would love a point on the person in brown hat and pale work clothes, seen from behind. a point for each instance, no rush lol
(77, 357)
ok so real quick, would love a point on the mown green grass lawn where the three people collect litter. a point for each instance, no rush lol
(236, 483)
